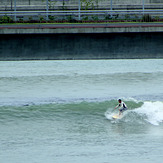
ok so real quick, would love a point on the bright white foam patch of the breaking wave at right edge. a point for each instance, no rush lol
(152, 112)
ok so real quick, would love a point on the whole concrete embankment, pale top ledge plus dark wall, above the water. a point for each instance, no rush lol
(81, 41)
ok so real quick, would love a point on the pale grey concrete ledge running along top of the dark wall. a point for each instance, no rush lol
(80, 28)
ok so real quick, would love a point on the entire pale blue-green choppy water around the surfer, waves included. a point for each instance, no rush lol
(60, 111)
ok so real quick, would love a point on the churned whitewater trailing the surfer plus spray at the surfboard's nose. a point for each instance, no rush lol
(147, 113)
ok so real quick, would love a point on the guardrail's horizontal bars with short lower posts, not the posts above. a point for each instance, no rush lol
(80, 13)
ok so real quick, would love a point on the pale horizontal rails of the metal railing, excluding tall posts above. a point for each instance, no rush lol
(81, 12)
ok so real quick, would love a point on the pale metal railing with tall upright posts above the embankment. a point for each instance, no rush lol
(78, 14)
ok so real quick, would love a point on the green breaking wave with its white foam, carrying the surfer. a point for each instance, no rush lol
(138, 113)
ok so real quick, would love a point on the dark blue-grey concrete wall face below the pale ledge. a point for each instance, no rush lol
(81, 46)
